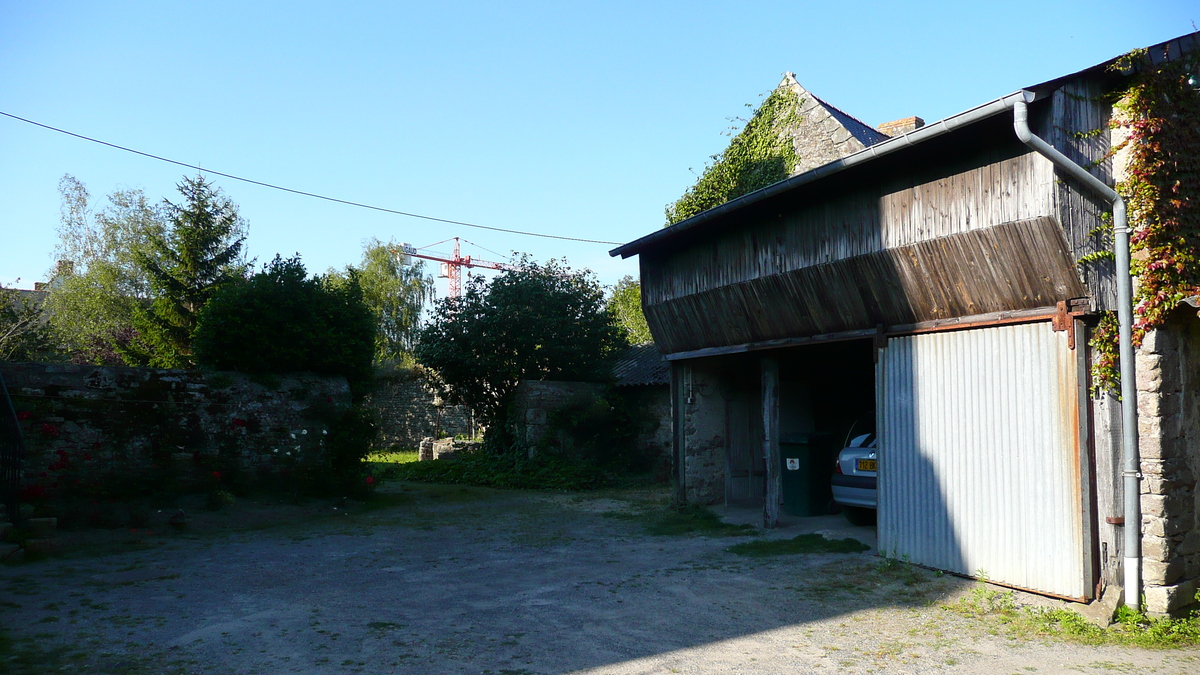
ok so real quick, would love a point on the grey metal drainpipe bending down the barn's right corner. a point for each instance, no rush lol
(1125, 318)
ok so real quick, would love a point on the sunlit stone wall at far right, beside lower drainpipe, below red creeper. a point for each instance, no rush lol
(1169, 437)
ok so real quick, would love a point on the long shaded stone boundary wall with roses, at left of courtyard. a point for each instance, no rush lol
(86, 427)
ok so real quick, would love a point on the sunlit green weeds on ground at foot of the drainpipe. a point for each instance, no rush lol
(1131, 628)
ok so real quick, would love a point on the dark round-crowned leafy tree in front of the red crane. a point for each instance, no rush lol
(533, 322)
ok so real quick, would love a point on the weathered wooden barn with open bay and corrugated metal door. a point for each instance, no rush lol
(928, 288)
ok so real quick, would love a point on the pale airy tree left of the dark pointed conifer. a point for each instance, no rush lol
(98, 284)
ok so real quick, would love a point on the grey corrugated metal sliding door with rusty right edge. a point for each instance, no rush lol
(980, 464)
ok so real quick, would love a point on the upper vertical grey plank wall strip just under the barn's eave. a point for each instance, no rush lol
(865, 222)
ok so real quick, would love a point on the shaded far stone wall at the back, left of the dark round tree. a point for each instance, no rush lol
(410, 410)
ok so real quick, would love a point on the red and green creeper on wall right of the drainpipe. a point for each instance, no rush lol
(1161, 116)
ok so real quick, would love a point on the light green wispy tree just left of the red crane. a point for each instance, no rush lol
(397, 295)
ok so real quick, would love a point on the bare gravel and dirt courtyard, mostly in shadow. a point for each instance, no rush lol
(449, 581)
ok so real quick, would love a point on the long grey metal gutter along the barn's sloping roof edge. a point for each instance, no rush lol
(940, 128)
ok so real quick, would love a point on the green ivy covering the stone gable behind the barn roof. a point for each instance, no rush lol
(760, 156)
